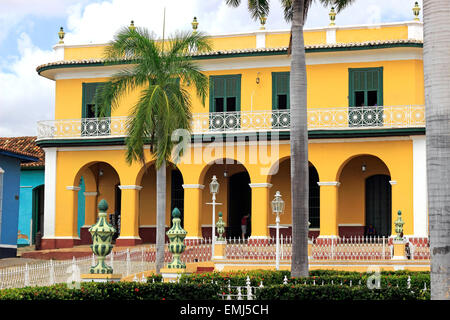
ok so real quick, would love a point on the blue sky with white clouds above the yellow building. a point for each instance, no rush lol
(28, 31)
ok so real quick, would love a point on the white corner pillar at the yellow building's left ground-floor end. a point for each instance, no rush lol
(50, 192)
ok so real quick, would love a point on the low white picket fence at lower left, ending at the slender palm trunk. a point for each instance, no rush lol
(67, 271)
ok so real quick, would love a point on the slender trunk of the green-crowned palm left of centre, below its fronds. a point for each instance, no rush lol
(160, 216)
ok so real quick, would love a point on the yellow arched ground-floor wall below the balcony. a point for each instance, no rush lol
(395, 158)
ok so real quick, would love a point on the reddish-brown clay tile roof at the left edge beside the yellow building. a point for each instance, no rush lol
(24, 146)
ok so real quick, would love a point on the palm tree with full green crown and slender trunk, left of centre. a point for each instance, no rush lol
(157, 69)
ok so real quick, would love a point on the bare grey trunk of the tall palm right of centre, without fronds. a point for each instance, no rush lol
(299, 146)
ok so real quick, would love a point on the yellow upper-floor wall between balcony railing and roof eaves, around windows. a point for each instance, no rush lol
(402, 85)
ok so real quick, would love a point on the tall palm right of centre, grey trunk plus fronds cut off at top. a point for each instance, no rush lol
(295, 11)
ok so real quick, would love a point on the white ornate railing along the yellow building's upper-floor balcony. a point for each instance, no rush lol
(351, 118)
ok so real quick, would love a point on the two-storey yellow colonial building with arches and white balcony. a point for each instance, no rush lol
(366, 124)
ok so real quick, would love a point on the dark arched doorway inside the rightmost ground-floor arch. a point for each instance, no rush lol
(378, 205)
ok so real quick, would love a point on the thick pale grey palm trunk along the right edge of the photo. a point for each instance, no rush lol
(436, 56)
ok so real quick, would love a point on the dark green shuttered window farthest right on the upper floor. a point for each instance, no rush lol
(366, 87)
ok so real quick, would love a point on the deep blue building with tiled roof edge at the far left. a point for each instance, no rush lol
(11, 157)
